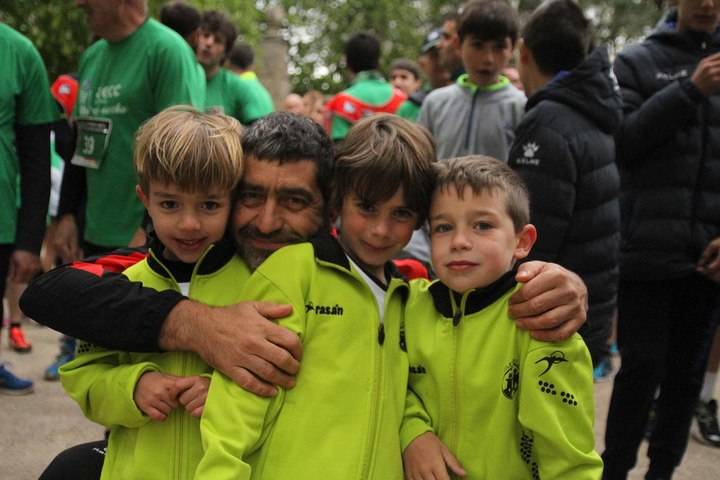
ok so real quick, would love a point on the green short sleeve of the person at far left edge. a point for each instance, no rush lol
(35, 105)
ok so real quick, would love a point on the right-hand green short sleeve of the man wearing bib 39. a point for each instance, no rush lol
(175, 78)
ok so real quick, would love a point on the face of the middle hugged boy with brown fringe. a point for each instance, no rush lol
(374, 234)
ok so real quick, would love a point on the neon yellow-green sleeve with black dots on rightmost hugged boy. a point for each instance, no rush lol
(556, 410)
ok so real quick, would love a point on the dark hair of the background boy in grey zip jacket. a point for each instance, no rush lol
(488, 20)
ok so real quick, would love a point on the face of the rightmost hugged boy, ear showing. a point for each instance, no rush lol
(473, 239)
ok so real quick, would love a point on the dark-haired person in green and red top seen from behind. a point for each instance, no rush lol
(369, 92)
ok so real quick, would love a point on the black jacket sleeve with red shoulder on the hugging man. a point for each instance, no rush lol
(90, 300)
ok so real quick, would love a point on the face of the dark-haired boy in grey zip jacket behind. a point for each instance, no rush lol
(484, 60)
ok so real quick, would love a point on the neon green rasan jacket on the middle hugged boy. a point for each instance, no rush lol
(342, 419)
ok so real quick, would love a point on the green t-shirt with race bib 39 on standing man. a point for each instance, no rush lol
(122, 84)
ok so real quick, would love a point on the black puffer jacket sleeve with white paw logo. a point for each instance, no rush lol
(545, 160)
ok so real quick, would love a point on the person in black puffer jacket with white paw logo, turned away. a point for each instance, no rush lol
(565, 151)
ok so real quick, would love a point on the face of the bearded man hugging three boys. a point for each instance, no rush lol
(277, 205)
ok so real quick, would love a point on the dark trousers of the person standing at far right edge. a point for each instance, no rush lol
(664, 336)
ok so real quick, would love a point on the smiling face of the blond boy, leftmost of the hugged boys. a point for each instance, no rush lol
(186, 223)
